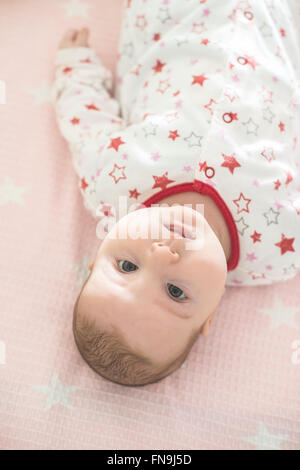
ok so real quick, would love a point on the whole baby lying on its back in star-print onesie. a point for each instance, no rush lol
(206, 154)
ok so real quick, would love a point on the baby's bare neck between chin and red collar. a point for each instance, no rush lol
(211, 213)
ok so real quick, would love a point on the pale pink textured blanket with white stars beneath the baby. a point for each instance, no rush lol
(239, 387)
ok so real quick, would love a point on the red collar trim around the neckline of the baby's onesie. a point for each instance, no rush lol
(206, 189)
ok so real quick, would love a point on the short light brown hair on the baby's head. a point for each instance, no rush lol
(109, 355)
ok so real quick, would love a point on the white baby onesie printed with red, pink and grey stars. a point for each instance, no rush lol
(209, 95)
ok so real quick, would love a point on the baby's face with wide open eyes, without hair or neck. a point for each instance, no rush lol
(159, 288)
